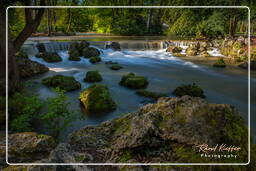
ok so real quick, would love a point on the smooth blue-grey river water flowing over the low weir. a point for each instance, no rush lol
(147, 58)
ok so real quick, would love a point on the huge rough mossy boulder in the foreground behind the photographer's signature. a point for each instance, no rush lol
(167, 131)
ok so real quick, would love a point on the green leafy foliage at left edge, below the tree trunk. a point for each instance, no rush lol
(25, 109)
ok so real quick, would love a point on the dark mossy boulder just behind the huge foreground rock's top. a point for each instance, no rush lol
(190, 90)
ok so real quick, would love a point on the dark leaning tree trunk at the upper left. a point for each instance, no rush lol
(33, 18)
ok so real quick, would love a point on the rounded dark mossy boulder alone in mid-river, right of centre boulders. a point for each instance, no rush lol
(132, 81)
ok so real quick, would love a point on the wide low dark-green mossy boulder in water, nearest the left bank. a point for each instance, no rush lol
(67, 83)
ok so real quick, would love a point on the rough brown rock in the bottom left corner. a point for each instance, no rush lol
(28, 147)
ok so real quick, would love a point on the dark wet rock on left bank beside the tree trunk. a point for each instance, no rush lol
(28, 68)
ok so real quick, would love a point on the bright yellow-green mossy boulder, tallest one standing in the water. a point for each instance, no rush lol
(97, 99)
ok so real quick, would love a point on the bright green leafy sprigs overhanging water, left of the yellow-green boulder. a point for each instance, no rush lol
(58, 116)
